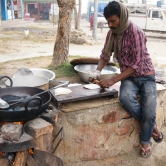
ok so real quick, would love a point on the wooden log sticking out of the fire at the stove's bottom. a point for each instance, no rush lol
(20, 158)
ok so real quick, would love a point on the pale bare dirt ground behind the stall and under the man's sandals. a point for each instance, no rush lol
(41, 39)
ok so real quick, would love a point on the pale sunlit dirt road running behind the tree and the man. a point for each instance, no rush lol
(14, 45)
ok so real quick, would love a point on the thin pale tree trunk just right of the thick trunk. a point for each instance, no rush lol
(77, 15)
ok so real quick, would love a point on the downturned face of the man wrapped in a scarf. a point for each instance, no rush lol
(113, 22)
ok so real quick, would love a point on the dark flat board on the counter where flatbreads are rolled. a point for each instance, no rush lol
(80, 93)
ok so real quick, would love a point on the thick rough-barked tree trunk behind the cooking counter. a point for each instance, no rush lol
(61, 47)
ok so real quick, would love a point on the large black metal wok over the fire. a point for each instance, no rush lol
(26, 110)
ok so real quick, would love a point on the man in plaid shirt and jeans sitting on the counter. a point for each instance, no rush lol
(128, 43)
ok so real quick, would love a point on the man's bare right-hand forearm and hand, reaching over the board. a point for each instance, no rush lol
(109, 82)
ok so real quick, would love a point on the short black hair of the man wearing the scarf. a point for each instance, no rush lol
(113, 8)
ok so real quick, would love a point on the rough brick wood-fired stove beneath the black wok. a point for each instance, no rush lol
(29, 143)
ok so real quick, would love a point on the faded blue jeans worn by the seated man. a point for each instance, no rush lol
(145, 111)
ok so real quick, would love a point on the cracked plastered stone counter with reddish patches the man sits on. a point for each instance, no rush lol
(96, 130)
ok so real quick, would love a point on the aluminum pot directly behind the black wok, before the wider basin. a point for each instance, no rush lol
(29, 81)
